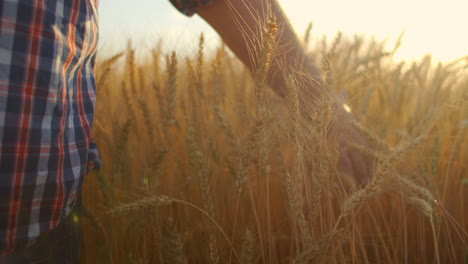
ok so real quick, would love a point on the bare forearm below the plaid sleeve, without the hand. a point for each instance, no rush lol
(238, 25)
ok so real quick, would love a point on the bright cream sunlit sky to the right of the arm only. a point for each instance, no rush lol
(437, 27)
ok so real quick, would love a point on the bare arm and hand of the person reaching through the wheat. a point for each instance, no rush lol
(237, 22)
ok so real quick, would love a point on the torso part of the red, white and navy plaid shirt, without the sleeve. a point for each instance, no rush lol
(47, 97)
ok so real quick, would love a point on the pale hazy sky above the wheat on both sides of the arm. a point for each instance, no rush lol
(432, 26)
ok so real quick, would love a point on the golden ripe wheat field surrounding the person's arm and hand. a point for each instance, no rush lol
(197, 169)
